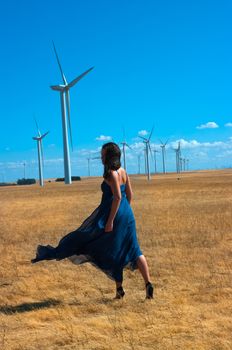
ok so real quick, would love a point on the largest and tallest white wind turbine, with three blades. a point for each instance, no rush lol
(65, 107)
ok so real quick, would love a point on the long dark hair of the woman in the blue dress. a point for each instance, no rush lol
(112, 158)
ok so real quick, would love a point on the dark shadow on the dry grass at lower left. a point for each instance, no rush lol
(25, 307)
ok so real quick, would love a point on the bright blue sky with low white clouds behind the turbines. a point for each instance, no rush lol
(166, 63)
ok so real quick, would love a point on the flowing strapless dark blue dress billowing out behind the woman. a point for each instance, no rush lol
(108, 251)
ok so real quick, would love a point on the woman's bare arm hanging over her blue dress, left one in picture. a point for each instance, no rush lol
(116, 190)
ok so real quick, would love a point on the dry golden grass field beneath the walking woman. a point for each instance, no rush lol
(185, 230)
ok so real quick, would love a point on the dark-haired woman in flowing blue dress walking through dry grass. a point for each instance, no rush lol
(107, 238)
